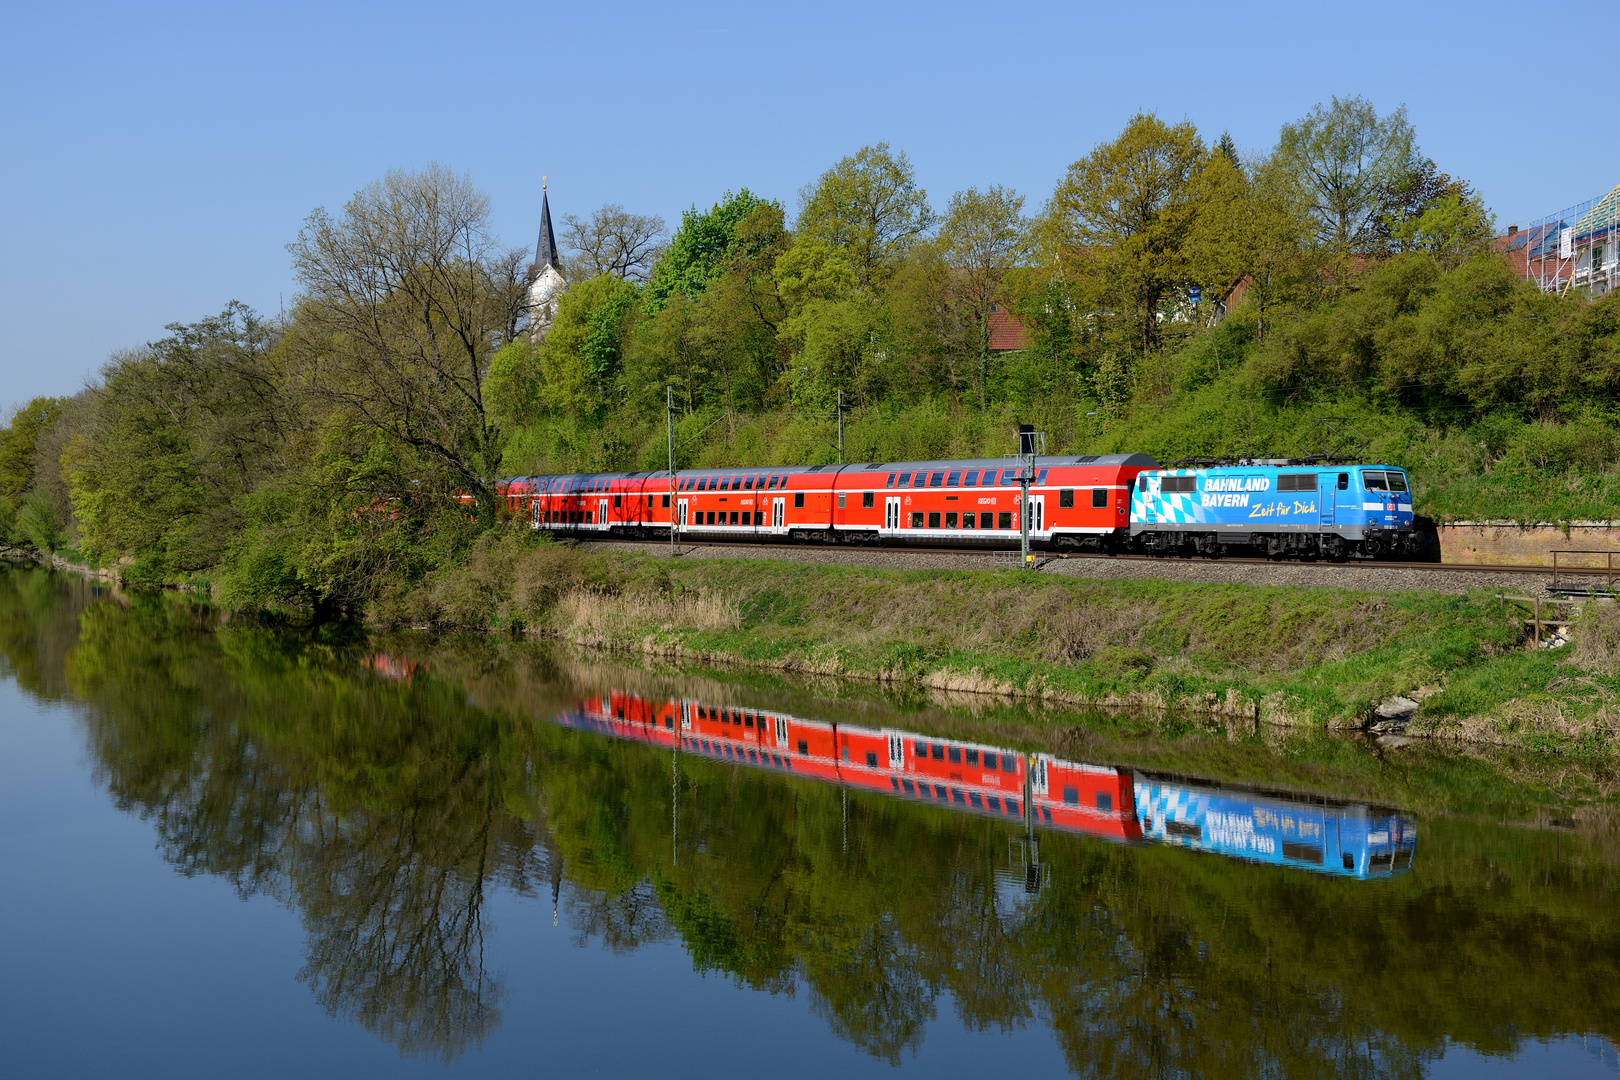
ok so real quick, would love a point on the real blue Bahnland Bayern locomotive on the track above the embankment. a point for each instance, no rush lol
(1281, 508)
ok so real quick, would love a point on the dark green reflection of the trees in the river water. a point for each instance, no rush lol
(385, 806)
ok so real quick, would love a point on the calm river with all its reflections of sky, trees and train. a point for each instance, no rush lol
(249, 853)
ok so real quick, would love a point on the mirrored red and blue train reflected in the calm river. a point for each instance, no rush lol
(1038, 791)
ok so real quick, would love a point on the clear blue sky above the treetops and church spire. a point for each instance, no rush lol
(160, 158)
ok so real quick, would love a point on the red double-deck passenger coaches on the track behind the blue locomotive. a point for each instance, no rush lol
(1075, 503)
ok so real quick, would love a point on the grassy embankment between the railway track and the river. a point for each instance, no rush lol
(1277, 655)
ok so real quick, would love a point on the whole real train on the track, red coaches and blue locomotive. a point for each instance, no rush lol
(1117, 503)
